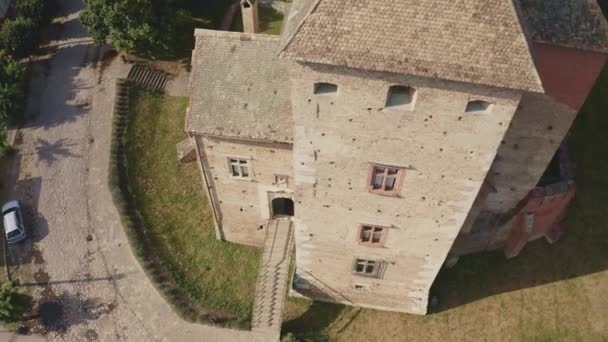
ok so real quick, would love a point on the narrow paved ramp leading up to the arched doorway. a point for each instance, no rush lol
(271, 288)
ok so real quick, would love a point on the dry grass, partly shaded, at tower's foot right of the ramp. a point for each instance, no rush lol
(548, 293)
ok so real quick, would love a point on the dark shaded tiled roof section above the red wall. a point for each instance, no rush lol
(572, 23)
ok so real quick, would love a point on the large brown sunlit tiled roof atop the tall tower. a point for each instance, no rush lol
(476, 41)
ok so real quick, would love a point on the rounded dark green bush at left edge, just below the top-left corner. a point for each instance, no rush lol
(17, 36)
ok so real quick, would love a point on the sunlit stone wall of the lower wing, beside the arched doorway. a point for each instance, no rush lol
(244, 205)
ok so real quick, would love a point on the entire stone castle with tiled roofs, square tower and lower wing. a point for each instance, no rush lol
(395, 135)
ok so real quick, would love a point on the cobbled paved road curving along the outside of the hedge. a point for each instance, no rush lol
(86, 283)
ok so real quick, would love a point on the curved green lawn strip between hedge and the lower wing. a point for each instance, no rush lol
(169, 195)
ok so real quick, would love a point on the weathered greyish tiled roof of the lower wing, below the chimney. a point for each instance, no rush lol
(239, 87)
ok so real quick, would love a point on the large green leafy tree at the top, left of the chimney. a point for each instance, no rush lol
(147, 27)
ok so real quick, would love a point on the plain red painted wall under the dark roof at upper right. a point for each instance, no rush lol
(567, 74)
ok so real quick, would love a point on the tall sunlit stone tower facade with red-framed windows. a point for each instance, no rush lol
(446, 154)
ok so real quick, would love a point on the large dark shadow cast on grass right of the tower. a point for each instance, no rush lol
(584, 248)
